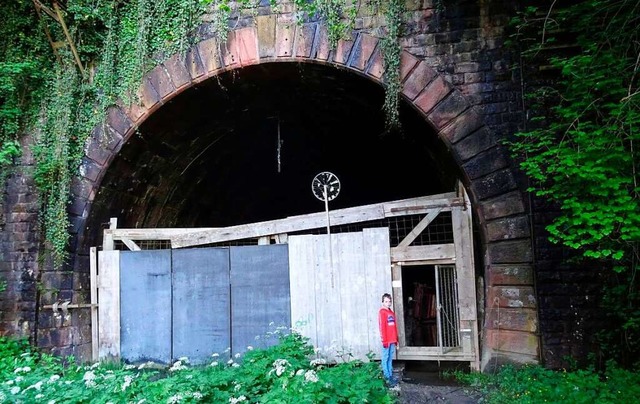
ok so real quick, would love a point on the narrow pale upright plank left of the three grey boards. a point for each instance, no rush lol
(109, 308)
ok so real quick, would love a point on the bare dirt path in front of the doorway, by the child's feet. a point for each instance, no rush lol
(426, 383)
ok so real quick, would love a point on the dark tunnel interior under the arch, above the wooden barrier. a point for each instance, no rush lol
(210, 157)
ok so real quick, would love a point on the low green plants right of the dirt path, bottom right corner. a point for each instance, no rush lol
(535, 384)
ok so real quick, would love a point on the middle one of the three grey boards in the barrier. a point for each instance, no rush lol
(201, 299)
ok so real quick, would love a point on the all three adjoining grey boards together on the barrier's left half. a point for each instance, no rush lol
(196, 302)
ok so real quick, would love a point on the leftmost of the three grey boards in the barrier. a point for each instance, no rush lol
(145, 305)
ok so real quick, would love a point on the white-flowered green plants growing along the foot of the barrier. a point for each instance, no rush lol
(283, 373)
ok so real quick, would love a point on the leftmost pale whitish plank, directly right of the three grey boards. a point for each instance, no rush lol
(302, 271)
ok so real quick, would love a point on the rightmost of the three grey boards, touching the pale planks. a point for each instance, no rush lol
(260, 300)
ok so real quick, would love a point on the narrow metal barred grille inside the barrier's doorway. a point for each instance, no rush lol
(448, 306)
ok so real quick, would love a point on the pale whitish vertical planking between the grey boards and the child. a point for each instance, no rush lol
(340, 316)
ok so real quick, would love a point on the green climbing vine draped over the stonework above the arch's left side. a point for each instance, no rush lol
(117, 43)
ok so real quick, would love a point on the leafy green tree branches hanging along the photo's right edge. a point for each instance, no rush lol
(580, 146)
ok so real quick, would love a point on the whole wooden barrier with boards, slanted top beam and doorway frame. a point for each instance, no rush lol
(164, 304)
